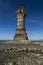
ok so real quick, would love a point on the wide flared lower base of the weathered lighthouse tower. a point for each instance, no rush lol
(20, 35)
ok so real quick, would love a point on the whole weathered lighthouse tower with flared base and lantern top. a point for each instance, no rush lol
(20, 30)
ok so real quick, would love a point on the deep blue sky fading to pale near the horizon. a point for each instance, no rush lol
(33, 22)
